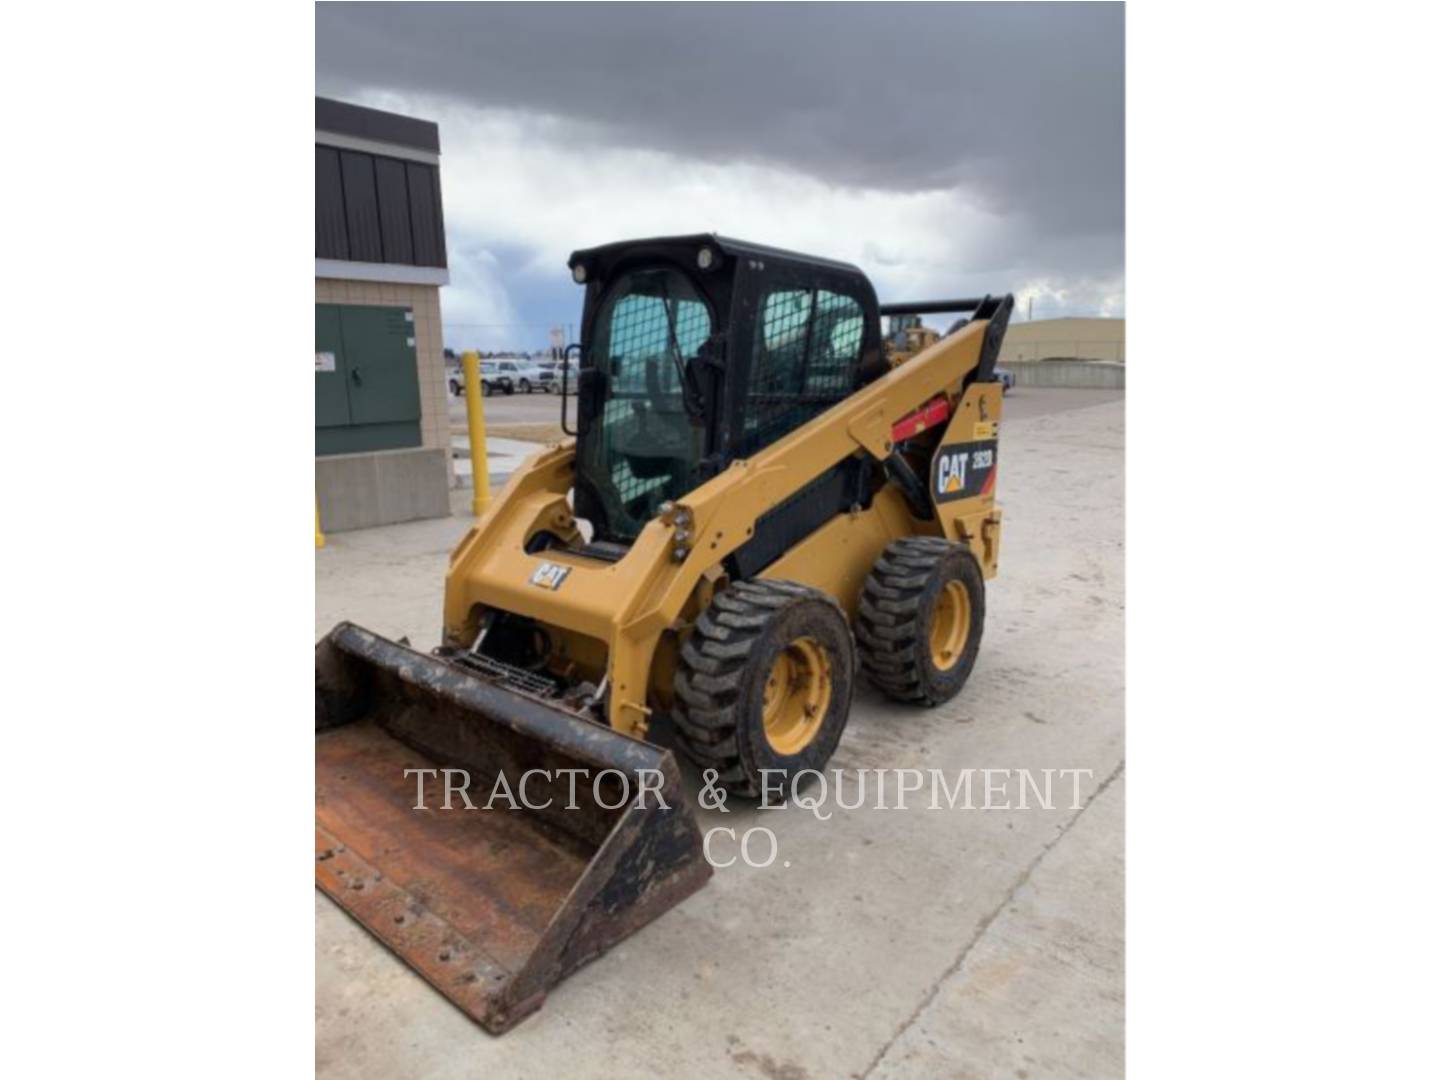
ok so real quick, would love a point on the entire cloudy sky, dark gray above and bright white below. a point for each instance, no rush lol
(978, 145)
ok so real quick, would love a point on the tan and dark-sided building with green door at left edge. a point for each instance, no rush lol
(382, 423)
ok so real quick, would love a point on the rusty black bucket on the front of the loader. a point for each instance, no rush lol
(492, 906)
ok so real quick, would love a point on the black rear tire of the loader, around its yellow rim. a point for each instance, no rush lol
(896, 607)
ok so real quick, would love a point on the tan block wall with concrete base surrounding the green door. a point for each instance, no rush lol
(362, 490)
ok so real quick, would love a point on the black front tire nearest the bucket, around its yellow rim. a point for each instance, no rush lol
(724, 669)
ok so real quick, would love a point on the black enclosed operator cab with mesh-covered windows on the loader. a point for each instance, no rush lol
(699, 351)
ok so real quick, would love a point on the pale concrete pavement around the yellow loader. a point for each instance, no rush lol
(895, 944)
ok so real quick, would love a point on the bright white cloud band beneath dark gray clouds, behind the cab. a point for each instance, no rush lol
(545, 186)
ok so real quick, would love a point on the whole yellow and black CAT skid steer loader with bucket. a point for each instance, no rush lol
(757, 508)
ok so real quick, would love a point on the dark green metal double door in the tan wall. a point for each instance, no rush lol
(372, 397)
